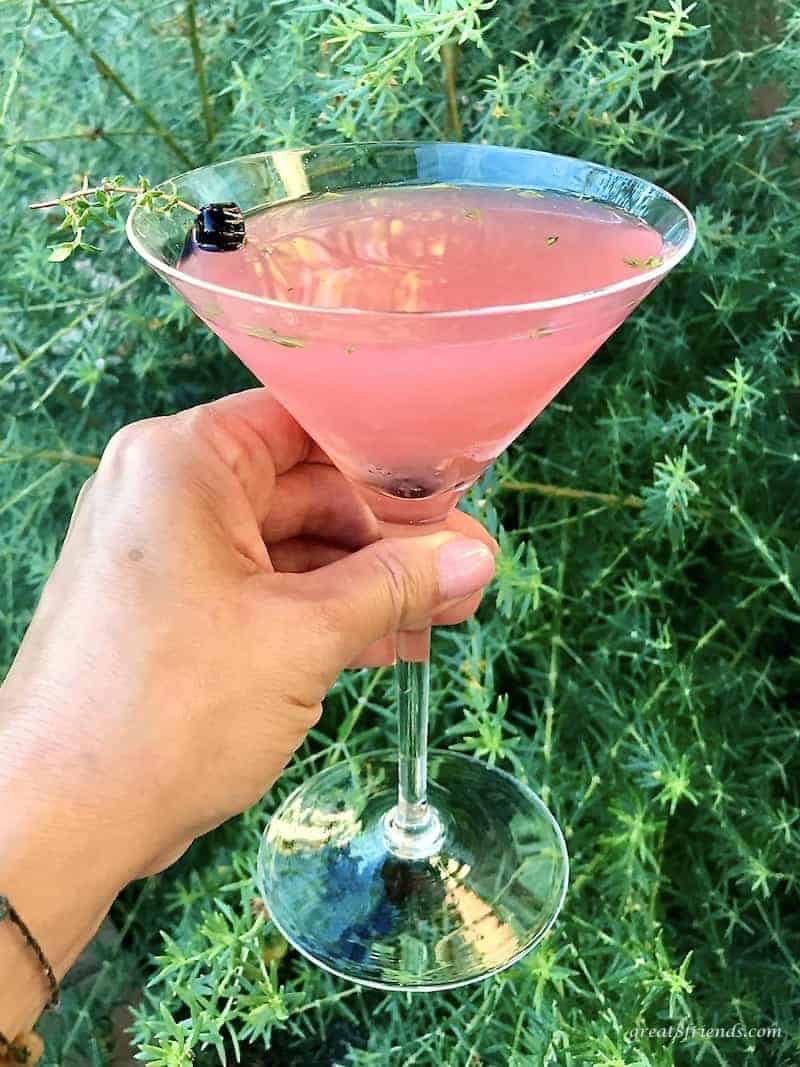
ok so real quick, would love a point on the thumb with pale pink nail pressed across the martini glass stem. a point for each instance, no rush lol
(392, 585)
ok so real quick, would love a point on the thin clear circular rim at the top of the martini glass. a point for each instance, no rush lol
(653, 275)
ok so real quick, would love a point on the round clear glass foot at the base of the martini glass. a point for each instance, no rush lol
(486, 896)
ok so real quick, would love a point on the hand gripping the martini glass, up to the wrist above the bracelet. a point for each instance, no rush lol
(217, 577)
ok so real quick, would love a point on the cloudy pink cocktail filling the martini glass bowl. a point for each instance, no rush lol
(414, 406)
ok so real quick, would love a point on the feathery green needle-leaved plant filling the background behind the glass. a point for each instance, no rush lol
(638, 660)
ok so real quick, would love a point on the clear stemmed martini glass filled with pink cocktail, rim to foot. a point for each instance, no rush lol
(413, 373)
